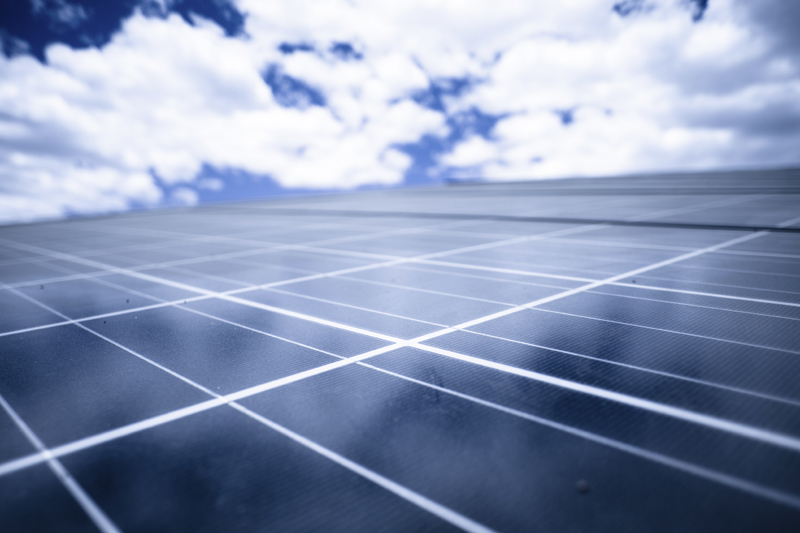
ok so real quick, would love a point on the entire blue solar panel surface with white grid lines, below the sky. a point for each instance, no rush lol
(575, 355)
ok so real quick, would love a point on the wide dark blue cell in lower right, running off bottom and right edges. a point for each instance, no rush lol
(503, 471)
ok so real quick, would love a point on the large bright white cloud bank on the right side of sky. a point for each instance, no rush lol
(651, 92)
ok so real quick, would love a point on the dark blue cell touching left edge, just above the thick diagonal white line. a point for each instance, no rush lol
(67, 383)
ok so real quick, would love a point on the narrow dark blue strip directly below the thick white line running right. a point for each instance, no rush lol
(644, 429)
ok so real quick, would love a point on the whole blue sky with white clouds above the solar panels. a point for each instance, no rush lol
(108, 105)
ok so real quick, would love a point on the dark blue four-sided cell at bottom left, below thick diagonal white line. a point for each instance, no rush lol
(222, 471)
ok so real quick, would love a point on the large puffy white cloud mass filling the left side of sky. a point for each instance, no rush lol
(167, 97)
